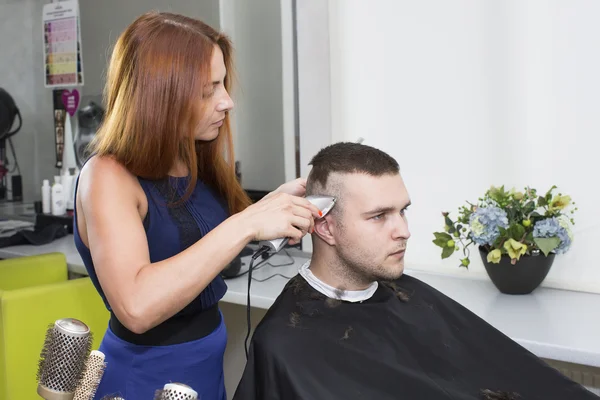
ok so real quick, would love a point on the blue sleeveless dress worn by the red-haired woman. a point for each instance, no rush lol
(136, 371)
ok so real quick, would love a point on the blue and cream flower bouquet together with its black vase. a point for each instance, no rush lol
(517, 233)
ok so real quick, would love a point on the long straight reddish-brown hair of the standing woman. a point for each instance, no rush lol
(156, 77)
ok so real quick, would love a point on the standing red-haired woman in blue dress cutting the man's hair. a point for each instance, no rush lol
(159, 212)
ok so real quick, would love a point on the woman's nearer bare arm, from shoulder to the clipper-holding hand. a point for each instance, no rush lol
(144, 294)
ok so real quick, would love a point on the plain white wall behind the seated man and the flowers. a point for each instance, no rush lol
(470, 93)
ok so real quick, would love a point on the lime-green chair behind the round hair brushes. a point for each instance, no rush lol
(35, 292)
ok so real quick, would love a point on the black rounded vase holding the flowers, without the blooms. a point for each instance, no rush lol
(523, 277)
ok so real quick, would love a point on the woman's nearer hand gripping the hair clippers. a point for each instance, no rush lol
(280, 215)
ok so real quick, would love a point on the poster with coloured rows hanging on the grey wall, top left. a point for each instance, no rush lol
(63, 64)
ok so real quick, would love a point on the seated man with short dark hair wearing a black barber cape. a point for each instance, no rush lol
(351, 325)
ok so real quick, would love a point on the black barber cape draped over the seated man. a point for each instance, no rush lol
(408, 341)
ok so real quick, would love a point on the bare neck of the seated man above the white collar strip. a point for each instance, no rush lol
(335, 274)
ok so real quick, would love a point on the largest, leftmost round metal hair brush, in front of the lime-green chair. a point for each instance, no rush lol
(62, 359)
